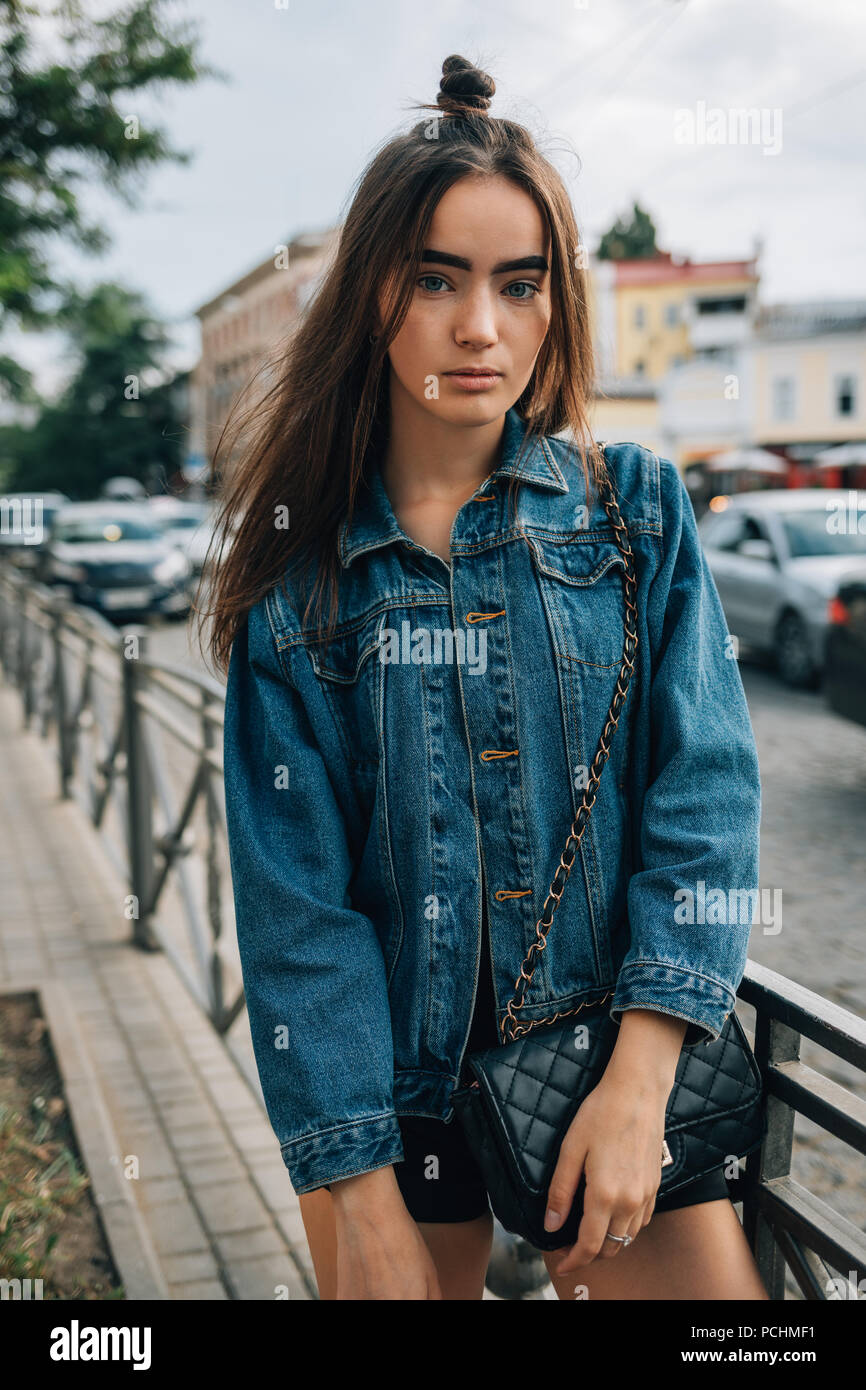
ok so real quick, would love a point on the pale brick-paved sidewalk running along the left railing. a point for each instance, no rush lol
(213, 1195)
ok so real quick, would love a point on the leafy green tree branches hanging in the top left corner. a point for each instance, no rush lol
(73, 122)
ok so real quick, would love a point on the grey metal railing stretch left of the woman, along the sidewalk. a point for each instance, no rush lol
(111, 710)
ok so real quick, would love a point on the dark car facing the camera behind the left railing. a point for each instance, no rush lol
(112, 557)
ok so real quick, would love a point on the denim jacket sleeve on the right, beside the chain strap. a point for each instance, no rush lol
(692, 901)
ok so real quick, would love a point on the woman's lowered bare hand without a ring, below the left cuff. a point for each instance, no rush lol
(380, 1250)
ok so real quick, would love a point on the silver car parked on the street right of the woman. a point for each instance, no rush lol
(779, 559)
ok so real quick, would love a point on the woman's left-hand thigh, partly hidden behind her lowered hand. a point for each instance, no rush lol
(459, 1250)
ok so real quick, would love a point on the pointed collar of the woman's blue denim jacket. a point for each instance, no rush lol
(375, 523)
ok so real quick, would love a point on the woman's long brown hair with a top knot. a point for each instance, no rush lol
(330, 407)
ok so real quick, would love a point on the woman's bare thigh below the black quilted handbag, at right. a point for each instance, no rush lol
(693, 1253)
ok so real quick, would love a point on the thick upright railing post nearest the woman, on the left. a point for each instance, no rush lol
(140, 793)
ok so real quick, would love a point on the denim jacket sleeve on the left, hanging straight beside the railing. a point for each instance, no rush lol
(308, 958)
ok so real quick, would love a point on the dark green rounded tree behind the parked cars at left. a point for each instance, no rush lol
(120, 412)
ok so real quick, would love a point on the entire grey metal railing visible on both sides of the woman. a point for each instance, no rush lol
(112, 755)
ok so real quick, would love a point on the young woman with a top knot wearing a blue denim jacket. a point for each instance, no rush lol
(423, 608)
